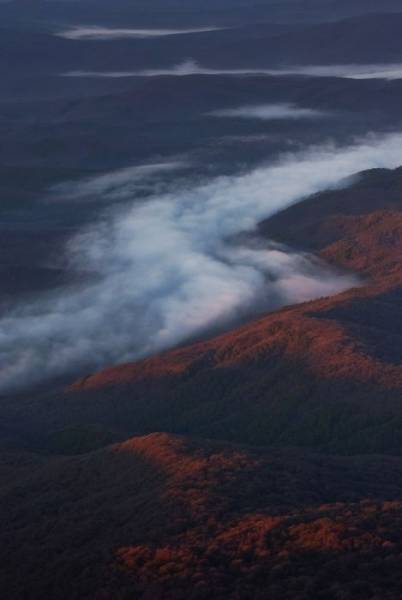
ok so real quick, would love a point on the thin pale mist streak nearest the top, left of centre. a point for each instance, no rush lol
(94, 32)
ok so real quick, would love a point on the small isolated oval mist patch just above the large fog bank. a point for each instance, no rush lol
(269, 112)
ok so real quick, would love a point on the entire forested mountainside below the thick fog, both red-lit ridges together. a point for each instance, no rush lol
(280, 477)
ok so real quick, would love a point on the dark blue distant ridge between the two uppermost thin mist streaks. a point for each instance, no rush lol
(347, 41)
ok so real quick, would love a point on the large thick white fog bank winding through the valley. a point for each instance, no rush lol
(174, 266)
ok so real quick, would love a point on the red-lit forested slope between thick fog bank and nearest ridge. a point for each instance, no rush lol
(326, 374)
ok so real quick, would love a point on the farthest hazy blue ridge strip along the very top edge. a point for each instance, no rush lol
(233, 11)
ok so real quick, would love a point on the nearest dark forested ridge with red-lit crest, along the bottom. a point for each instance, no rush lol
(175, 518)
